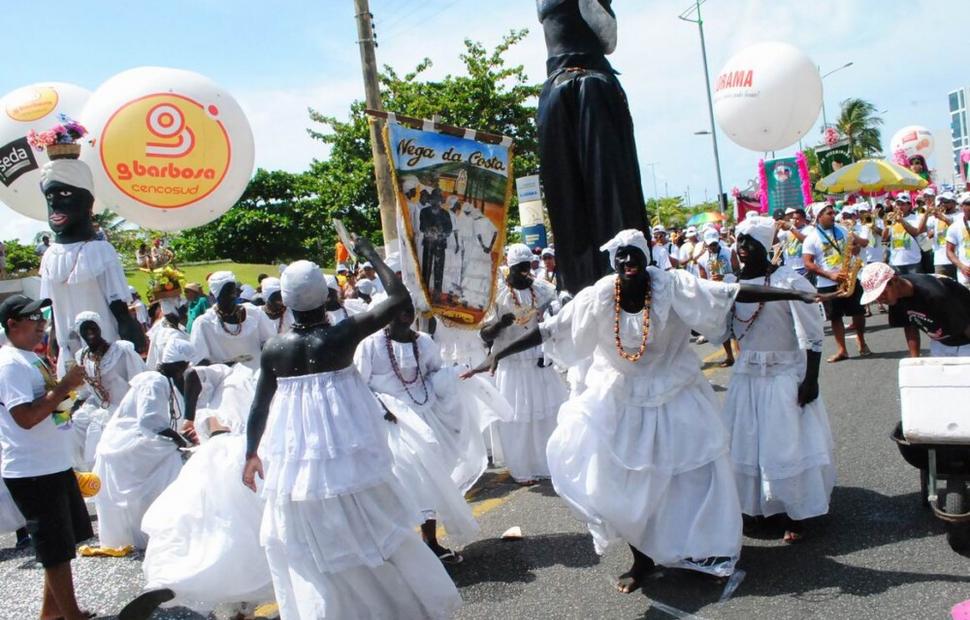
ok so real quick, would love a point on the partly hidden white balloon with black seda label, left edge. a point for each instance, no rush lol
(36, 107)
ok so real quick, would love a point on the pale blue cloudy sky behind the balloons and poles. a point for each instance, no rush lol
(279, 58)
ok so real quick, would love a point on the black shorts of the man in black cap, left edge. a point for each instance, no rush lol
(56, 516)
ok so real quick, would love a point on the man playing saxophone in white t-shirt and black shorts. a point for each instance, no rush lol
(823, 253)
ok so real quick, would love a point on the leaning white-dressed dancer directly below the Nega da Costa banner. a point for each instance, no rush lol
(438, 451)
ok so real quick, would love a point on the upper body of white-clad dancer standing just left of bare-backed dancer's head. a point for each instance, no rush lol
(228, 332)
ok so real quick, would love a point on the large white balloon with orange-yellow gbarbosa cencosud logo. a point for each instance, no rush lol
(172, 149)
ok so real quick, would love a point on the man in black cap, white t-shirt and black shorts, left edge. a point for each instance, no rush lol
(36, 453)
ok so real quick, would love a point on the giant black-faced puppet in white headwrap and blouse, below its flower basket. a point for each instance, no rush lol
(78, 272)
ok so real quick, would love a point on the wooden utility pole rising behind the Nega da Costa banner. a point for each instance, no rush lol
(386, 196)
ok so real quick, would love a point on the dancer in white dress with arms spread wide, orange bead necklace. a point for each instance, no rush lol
(641, 455)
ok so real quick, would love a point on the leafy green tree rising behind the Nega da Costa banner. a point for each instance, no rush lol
(489, 95)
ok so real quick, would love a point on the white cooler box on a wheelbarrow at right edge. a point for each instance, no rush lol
(934, 394)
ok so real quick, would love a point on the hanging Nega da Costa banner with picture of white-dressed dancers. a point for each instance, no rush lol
(453, 194)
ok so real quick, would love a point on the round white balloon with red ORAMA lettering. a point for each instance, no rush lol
(767, 96)
